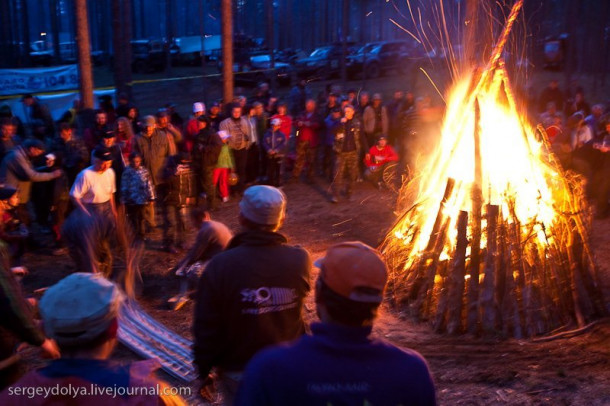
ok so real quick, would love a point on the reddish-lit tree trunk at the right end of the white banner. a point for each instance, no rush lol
(84, 54)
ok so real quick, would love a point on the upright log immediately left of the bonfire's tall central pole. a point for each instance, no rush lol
(456, 275)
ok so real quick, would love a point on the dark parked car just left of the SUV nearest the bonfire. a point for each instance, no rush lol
(323, 62)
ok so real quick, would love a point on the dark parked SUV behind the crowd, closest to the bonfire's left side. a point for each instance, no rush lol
(378, 58)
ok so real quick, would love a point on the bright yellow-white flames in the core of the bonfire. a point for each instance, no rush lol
(515, 174)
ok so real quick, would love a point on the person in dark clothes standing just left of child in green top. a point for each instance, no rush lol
(205, 157)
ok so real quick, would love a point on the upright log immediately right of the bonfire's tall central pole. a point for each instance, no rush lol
(488, 299)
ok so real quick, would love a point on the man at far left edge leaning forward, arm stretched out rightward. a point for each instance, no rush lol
(16, 170)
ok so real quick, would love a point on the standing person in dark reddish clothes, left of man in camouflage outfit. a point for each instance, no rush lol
(308, 125)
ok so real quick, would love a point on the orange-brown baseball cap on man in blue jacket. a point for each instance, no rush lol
(350, 266)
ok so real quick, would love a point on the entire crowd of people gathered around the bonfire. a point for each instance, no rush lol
(71, 178)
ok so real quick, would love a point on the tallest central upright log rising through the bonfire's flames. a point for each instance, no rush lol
(475, 247)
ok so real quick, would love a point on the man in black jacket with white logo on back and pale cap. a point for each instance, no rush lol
(251, 295)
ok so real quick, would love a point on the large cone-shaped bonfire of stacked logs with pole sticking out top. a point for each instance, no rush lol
(494, 235)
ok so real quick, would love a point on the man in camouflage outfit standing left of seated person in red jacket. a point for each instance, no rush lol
(349, 141)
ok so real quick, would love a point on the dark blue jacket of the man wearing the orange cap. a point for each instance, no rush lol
(337, 365)
